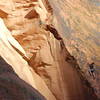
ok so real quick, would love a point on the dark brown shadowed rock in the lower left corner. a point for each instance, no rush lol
(14, 88)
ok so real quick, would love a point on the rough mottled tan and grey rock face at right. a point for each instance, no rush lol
(78, 21)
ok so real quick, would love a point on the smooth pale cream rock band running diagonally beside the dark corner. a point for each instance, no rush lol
(20, 66)
